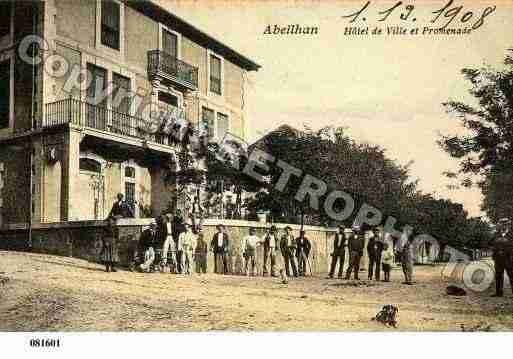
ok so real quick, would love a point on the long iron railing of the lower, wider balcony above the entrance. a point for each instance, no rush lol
(80, 113)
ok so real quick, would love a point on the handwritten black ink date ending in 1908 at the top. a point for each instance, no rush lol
(446, 15)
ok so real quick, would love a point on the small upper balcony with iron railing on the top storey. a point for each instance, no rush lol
(165, 66)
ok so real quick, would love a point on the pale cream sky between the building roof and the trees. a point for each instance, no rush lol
(384, 90)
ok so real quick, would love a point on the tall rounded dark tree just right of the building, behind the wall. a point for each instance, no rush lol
(362, 170)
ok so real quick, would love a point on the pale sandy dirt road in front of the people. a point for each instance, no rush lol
(49, 293)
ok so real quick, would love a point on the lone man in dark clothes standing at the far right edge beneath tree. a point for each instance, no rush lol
(503, 255)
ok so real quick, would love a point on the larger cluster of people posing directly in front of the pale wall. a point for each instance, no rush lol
(177, 247)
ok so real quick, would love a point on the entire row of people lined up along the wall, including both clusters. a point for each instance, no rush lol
(172, 245)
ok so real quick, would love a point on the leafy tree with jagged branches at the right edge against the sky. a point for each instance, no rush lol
(486, 151)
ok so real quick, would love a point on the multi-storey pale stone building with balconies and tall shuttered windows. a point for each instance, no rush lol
(68, 147)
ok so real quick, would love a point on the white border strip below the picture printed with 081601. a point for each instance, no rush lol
(296, 345)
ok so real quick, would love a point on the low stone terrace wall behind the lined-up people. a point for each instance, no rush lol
(78, 239)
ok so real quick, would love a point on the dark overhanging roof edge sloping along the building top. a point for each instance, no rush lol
(160, 14)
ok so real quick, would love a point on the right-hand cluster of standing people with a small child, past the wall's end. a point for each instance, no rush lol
(380, 253)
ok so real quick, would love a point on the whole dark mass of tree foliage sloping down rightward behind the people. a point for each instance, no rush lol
(369, 176)
